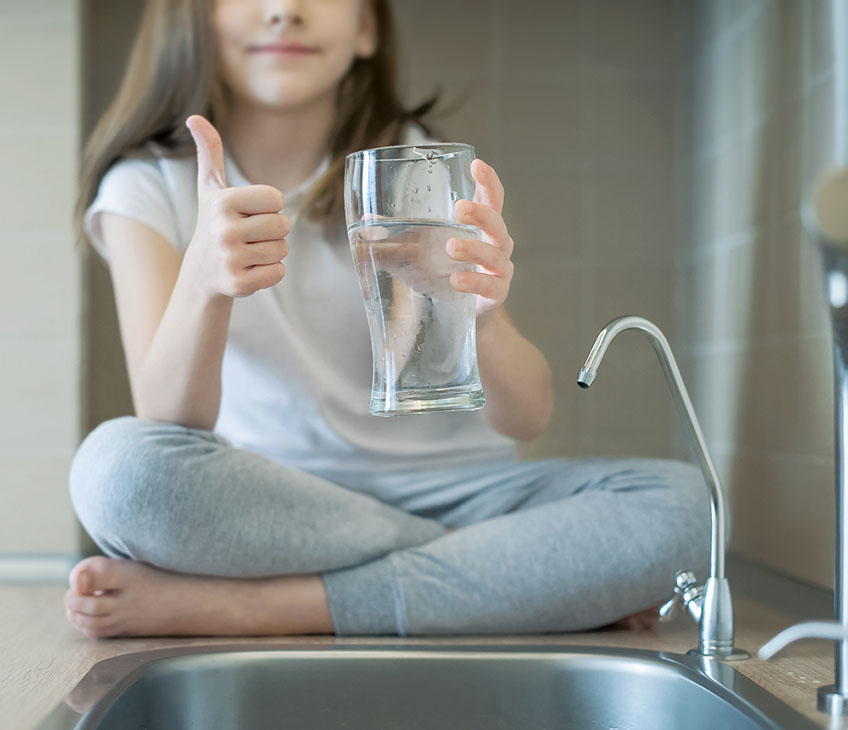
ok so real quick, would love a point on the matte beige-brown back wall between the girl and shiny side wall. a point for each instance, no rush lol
(574, 103)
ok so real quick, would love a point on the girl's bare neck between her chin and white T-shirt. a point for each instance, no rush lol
(279, 147)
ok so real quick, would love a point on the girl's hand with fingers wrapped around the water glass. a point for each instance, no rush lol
(492, 253)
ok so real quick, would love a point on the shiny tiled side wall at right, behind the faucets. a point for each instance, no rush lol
(752, 324)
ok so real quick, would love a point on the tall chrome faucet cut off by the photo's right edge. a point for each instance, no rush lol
(826, 223)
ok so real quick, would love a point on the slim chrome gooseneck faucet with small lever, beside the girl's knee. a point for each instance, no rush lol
(710, 605)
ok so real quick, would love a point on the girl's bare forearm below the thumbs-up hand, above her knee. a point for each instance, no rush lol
(181, 376)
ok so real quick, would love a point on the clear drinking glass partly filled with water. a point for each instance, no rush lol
(399, 208)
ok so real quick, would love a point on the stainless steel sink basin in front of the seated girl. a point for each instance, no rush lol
(417, 687)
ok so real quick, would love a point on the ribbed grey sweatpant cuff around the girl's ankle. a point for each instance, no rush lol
(365, 599)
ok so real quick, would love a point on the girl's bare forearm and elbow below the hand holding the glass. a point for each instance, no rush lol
(516, 379)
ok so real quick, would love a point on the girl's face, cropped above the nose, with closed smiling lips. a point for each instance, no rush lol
(335, 31)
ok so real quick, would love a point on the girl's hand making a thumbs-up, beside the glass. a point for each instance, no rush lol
(239, 240)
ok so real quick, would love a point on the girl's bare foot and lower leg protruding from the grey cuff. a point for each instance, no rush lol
(114, 597)
